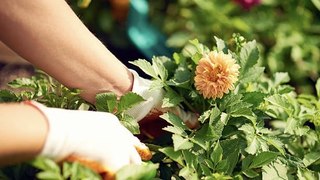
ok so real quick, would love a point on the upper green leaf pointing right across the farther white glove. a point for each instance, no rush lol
(128, 100)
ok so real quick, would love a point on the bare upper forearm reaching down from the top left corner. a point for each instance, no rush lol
(49, 35)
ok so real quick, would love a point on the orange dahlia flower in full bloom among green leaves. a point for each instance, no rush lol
(216, 74)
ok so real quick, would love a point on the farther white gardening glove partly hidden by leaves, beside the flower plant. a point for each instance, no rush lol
(151, 107)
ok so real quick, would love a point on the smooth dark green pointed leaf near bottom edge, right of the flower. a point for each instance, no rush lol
(263, 158)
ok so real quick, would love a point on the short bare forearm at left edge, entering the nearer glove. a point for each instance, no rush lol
(23, 131)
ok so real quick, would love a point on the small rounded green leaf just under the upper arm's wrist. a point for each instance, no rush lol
(106, 102)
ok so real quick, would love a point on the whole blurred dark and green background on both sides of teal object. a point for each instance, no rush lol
(288, 32)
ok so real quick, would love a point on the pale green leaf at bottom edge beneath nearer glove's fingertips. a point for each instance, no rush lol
(145, 171)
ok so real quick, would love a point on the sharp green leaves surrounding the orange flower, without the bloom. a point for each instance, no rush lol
(259, 128)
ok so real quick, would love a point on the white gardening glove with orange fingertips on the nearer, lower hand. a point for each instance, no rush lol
(93, 138)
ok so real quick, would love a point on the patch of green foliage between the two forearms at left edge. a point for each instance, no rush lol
(45, 90)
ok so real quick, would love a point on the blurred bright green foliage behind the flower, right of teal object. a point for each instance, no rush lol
(287, 31)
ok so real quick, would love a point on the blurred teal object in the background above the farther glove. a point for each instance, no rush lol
(148, 39)
